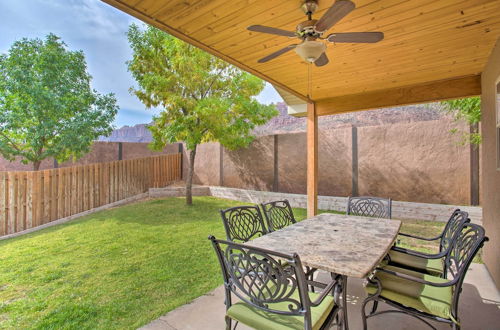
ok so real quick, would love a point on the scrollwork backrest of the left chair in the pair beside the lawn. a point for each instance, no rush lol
(243, 223)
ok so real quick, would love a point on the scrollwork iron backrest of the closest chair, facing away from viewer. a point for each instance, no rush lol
(260, 277)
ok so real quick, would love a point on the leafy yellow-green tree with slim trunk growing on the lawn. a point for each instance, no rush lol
(202, 97)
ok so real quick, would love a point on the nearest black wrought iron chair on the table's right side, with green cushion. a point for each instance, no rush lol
(425, 296)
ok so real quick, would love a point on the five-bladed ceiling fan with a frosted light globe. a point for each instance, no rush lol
(311, 49)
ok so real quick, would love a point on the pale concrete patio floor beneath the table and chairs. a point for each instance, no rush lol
(479, 309)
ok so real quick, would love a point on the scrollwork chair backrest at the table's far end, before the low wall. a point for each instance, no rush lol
(370, 207)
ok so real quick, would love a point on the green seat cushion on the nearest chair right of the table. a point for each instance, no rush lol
(425, 298)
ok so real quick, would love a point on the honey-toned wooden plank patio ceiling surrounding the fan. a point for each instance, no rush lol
(426, 42)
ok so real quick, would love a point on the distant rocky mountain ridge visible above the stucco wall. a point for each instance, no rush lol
(284, 123)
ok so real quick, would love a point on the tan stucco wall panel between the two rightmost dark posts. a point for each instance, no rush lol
(416, 162)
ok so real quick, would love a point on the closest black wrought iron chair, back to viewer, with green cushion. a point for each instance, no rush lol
(273, 294)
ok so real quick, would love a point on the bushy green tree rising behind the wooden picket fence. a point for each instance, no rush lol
(47, 107)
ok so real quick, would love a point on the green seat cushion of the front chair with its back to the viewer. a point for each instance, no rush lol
(260, 319)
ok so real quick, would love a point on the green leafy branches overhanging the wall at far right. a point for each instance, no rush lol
(468, 109)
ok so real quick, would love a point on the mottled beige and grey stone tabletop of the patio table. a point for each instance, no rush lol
(342, 244)
